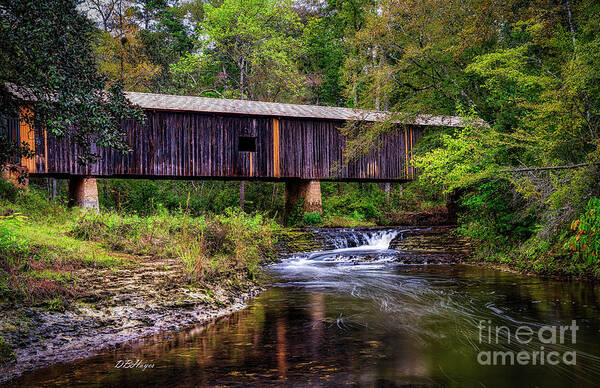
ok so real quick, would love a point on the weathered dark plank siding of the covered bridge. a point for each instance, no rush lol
(202, 145)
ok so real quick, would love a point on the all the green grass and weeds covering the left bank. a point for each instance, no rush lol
(43, 244)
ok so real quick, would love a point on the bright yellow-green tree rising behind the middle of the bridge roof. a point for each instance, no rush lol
(247, 49)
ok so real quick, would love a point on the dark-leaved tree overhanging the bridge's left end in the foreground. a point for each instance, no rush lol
(47, 59)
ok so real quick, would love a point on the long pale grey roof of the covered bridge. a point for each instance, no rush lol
(259, 108)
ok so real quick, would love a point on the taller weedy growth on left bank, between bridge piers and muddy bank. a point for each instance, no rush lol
(208, 247)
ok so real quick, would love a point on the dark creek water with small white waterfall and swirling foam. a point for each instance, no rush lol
(354, 315)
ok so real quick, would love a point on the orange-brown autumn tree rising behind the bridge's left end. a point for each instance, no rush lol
(141, 39)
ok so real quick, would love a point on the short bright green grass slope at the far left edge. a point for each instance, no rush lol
(38, 254)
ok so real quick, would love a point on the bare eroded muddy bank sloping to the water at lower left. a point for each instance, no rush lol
(116, 306)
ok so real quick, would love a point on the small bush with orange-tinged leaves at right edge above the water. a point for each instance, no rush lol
(586, 241)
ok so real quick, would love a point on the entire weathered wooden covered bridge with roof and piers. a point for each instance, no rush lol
(206, 138)
